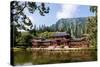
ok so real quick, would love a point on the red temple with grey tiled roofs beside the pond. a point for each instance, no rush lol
(60, 40)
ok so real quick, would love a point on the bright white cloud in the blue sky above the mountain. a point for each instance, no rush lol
(67, 11)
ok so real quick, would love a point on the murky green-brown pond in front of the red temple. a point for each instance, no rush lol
(44, 56)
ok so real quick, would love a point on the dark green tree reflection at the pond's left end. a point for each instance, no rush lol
(22, 57)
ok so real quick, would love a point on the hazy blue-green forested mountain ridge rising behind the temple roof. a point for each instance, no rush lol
(75, 26)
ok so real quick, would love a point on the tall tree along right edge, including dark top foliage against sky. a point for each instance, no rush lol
(92, 27)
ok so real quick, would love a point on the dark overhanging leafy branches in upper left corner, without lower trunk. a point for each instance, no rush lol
(18, 17)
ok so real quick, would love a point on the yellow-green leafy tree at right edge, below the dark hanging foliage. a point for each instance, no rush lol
(92, 31)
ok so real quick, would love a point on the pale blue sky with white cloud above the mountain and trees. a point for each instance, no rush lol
(58, 11)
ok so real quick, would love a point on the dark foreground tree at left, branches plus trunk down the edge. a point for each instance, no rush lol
(19, 20)
